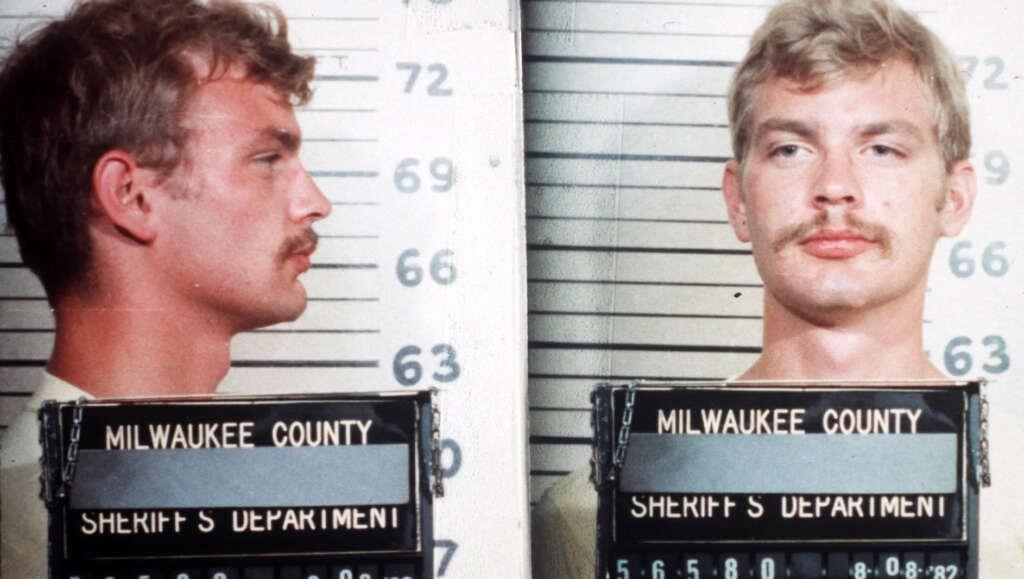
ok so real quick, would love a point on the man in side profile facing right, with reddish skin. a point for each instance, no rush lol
(150, 164)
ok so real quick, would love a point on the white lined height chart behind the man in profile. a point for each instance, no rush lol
(414, 135)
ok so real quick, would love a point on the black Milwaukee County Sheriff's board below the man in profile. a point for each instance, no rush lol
(333, 476)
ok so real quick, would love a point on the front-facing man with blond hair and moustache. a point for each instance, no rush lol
(850, 139)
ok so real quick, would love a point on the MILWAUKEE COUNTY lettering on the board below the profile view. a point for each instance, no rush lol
(236, 435)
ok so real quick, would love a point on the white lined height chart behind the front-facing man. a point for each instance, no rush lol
(633, 269)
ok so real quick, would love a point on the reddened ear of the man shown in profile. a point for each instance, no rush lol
(121, 192)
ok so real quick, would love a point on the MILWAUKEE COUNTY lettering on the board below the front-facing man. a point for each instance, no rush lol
(787, 422)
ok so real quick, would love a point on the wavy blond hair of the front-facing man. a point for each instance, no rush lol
(815, 43)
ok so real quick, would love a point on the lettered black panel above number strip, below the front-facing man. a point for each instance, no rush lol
(810, 466)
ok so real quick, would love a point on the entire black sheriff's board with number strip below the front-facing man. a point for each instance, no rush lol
(802, 481)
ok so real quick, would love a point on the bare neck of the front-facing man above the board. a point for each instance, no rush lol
(879, 344)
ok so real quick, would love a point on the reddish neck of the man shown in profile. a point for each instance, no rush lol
(110, 347)
